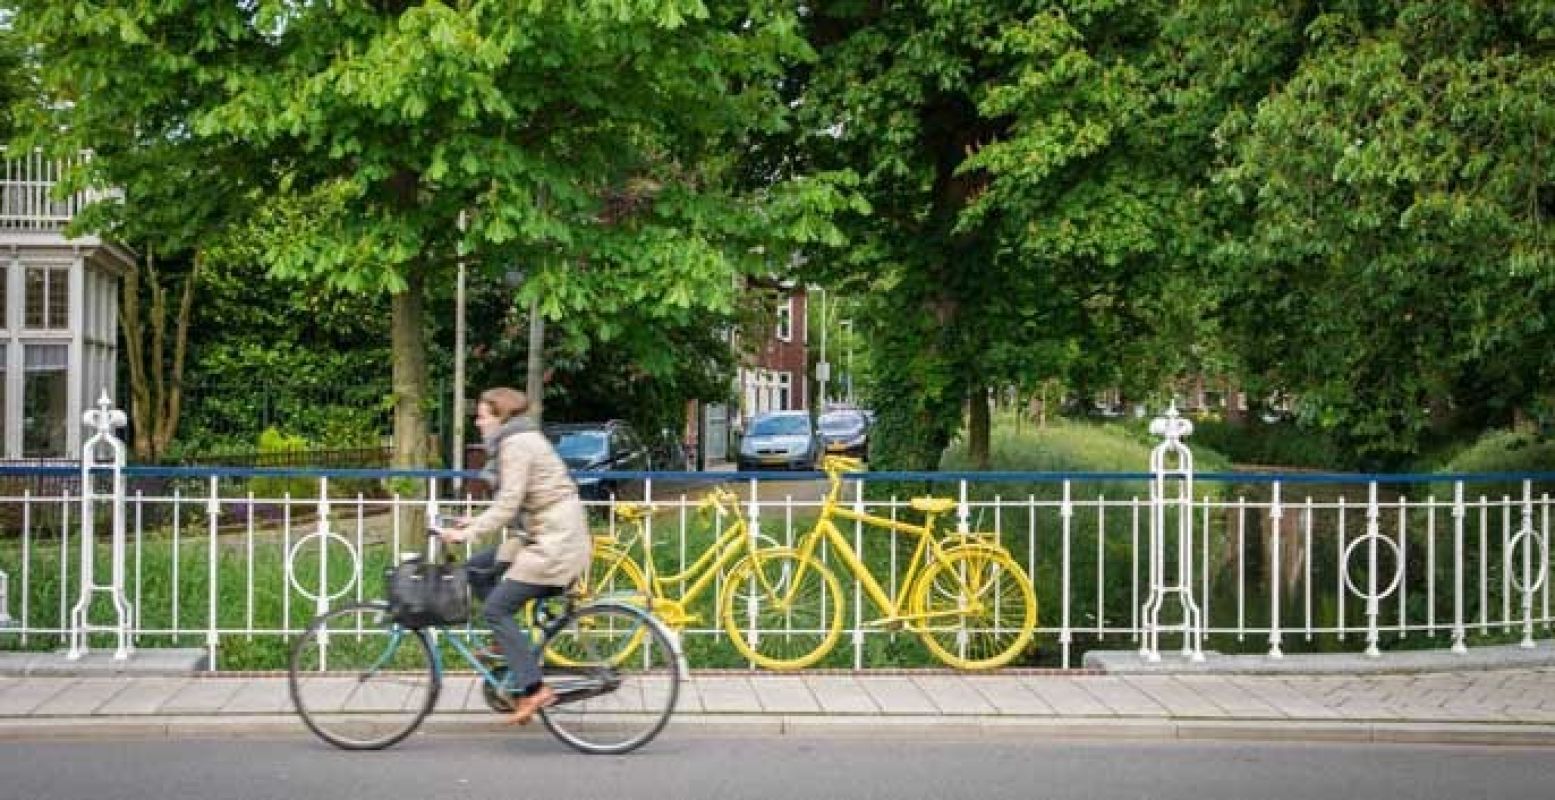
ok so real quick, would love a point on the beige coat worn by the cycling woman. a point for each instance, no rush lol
(533, 480)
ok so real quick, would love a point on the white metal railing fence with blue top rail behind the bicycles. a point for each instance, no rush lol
(236, 561)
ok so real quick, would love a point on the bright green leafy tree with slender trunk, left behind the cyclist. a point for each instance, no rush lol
(589, 144)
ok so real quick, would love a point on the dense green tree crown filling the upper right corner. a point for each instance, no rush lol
(1399, 262)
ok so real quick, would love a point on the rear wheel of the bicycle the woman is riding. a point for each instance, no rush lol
(607, 704)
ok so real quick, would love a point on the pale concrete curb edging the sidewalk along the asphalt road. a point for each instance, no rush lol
(823, 726)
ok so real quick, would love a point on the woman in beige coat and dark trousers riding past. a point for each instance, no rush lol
(533, 482)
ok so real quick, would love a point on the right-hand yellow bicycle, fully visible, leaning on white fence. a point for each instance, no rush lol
(965, 595)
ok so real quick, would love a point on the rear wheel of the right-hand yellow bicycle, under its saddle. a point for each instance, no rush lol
(974, 608)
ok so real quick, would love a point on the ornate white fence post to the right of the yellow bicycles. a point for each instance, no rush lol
(1173, 429)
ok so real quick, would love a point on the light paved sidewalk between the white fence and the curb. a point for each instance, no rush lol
(1514, 706)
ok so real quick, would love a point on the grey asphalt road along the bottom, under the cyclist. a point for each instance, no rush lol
(696, 768)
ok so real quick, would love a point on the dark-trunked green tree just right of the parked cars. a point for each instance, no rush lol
(1035, 217)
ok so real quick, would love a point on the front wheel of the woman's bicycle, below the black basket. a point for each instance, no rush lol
(362, 682)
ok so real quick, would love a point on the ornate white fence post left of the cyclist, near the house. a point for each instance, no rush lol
(103, 421)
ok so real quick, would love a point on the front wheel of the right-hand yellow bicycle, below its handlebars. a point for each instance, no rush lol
(783, 611)
